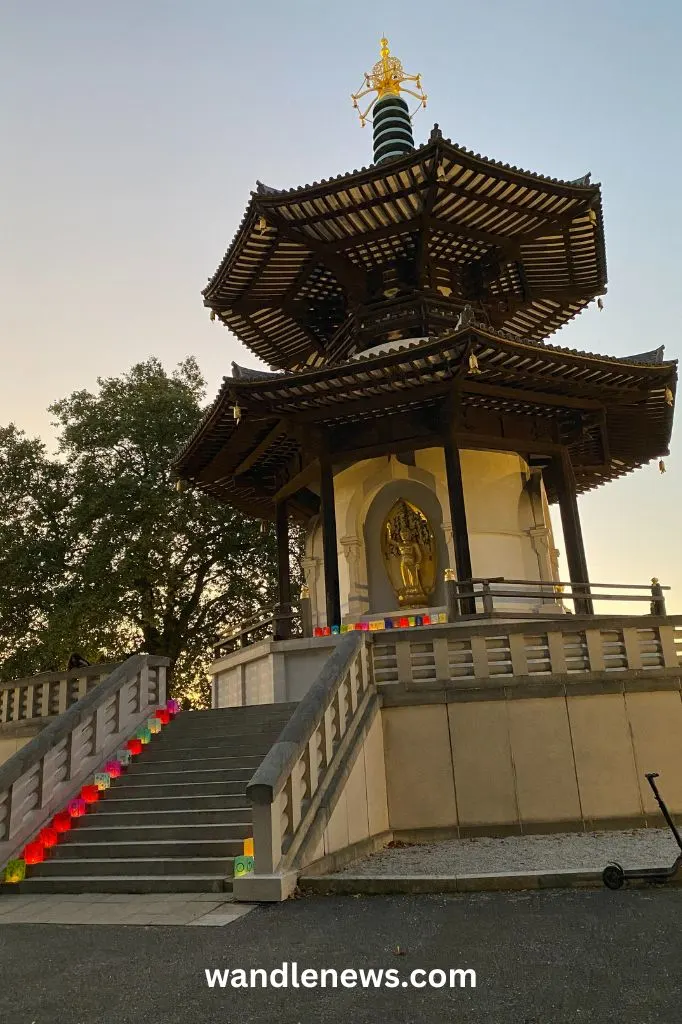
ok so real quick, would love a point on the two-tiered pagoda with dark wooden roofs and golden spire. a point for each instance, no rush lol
(416, 417)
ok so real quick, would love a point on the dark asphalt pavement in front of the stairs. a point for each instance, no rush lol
(549, 958)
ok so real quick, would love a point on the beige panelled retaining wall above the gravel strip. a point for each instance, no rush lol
(495, 766)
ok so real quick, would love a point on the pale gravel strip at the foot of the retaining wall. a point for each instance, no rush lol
(587, 851)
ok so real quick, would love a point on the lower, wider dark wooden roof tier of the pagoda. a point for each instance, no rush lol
(614, 414)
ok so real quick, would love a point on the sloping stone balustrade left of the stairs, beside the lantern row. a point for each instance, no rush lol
(50, 771)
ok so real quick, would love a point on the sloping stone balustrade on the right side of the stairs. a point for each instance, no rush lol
(287, 789)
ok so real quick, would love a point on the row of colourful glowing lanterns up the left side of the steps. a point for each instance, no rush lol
(49, 837)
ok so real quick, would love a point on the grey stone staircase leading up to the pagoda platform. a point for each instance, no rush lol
(177, 819)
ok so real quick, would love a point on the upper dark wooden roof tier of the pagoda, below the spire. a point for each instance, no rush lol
(527, 250)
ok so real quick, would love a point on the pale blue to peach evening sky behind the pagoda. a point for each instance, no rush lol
(134, 133)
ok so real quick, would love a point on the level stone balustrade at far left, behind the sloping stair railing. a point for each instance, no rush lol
(48, 695)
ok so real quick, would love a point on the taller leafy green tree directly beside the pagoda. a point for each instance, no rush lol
(144, 567)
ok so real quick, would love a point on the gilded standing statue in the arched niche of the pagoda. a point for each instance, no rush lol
(410, 554)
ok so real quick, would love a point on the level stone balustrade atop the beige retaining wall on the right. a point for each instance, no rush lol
(495, 654)
